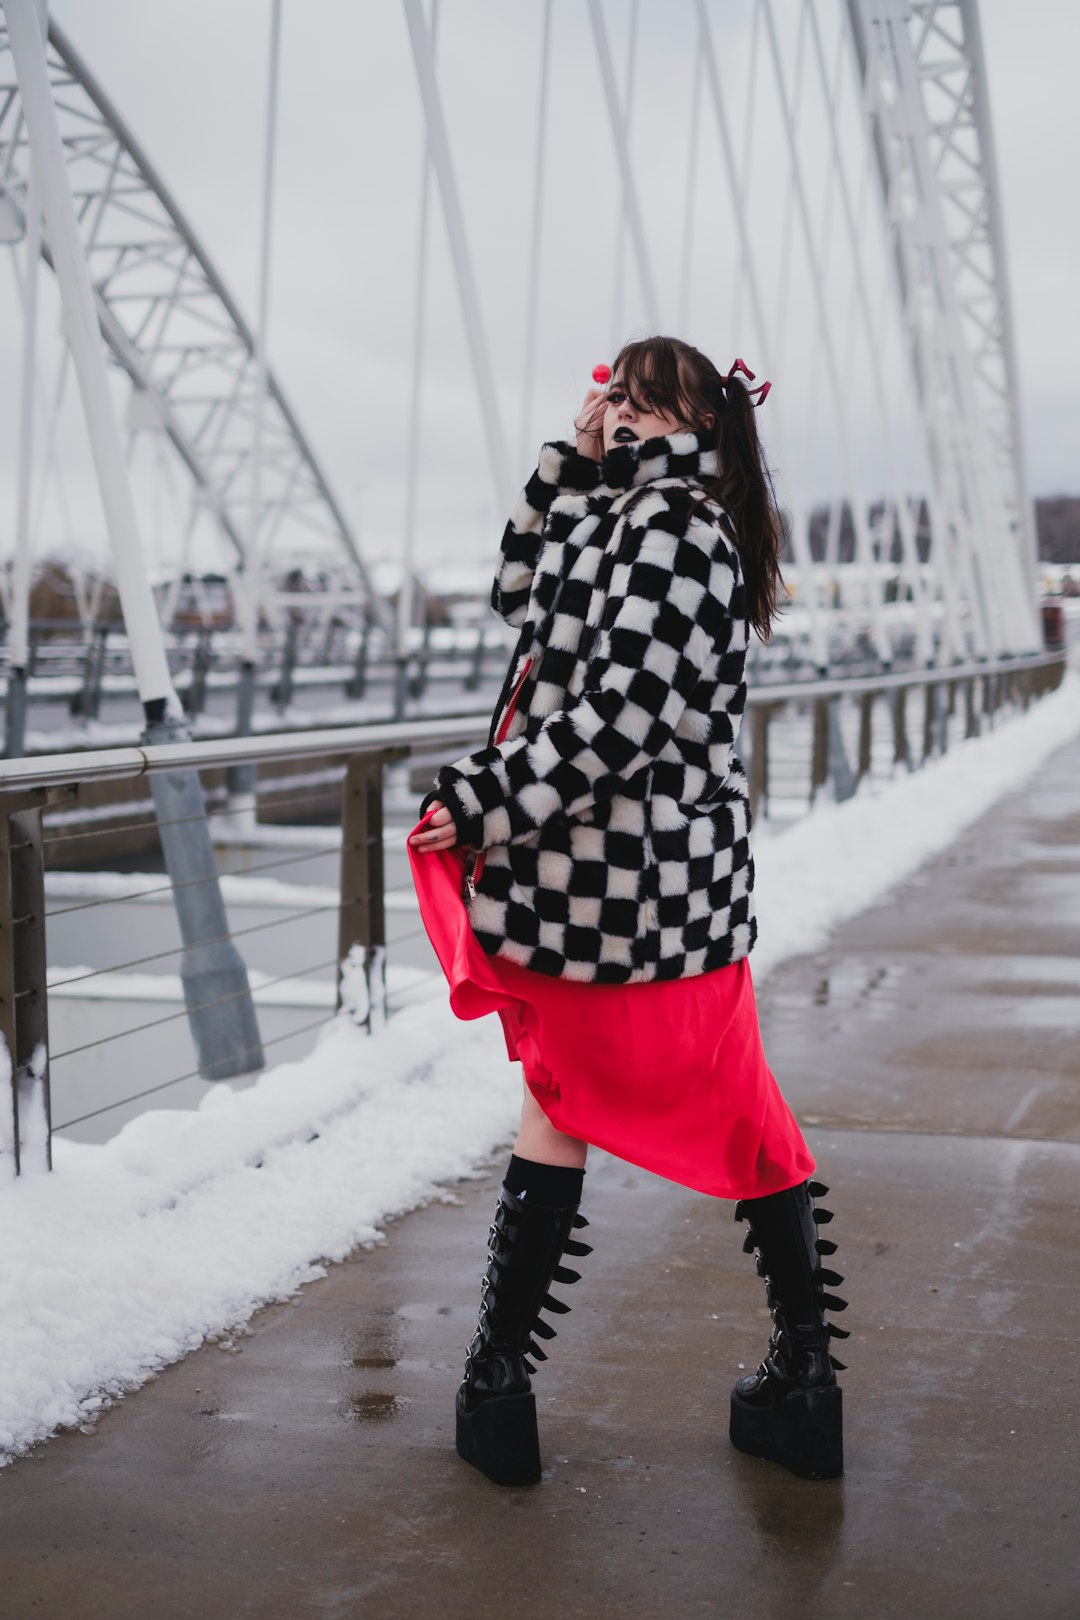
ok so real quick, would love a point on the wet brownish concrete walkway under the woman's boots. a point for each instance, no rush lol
(935, 1052)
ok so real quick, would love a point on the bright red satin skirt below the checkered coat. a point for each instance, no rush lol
(670, 1076)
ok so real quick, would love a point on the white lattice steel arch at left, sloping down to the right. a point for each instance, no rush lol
(176, 330)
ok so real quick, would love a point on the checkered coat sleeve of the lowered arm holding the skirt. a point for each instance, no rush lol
(668, 621)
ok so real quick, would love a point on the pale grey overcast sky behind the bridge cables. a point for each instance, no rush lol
(190, 79)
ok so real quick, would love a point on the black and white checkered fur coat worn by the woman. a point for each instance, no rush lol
(613, 812)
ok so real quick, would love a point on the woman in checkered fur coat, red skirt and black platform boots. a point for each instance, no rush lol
(589, 876)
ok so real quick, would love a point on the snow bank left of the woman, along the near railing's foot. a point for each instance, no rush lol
(132, 1253)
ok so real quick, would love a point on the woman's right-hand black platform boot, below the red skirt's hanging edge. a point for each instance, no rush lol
(791, 1409)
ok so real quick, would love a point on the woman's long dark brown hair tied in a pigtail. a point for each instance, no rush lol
(684, 383)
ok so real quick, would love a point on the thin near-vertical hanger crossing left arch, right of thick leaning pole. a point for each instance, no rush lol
(249, 576)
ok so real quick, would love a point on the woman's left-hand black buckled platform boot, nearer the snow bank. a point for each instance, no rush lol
(496, 1409)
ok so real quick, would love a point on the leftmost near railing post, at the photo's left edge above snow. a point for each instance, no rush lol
(25, 1117)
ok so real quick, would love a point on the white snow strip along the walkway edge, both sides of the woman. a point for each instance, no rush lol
(135, 1251)
